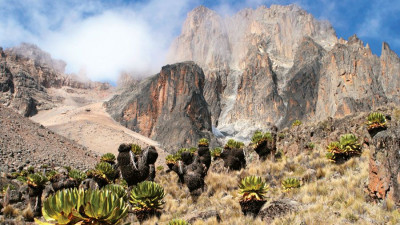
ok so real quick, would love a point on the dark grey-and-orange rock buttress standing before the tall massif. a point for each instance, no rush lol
(168, 107)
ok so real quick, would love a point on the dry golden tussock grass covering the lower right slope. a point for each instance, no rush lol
(334, 196)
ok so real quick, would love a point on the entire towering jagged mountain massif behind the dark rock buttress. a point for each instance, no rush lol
(274, 65)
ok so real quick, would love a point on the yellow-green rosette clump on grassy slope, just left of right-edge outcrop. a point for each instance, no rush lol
(345, 148)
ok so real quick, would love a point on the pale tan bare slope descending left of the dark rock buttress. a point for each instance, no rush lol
(82, 118)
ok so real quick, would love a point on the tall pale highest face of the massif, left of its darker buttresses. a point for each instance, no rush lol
(246, 59)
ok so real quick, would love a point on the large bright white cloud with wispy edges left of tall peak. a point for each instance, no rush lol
(101, 39)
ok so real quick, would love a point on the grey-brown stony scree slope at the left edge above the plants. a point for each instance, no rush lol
(24, 143)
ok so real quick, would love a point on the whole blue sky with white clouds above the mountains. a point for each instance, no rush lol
(102, 38)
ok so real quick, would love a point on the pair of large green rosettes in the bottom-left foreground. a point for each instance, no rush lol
(73, 206)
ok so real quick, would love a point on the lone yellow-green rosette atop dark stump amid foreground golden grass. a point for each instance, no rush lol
(252, 188)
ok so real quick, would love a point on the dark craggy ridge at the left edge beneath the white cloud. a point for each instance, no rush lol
(26, 72)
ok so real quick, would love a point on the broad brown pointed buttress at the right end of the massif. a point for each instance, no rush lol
(349, 81)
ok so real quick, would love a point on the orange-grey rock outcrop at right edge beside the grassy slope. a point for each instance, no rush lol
(384, 167)
